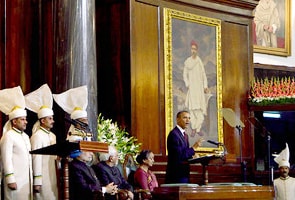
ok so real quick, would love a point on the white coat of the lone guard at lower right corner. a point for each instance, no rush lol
(284, 189)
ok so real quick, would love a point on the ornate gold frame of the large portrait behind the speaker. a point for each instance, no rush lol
(169, 14)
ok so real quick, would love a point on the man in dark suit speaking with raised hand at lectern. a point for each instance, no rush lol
(179, 152)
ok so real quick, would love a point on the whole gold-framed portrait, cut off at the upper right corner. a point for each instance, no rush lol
(275, 38)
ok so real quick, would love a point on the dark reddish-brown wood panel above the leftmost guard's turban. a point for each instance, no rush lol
(18, 43)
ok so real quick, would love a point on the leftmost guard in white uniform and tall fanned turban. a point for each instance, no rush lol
(15, 147)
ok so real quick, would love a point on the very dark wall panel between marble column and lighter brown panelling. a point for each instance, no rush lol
(113, 60)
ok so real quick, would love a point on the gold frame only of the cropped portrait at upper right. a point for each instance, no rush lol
(286, 51)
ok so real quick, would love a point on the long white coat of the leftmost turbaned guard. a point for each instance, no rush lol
(17, 165)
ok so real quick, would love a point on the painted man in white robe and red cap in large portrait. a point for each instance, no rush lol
(195, 80)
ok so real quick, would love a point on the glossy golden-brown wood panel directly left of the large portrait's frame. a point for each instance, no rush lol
(145, 99)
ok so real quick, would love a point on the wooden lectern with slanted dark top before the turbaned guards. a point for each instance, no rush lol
(63, 150)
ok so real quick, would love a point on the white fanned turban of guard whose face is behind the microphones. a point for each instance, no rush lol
(73, 101)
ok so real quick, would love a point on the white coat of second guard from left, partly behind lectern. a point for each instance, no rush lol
(44, 170)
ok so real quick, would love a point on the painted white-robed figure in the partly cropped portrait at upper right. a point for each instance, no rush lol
(267, 23)
